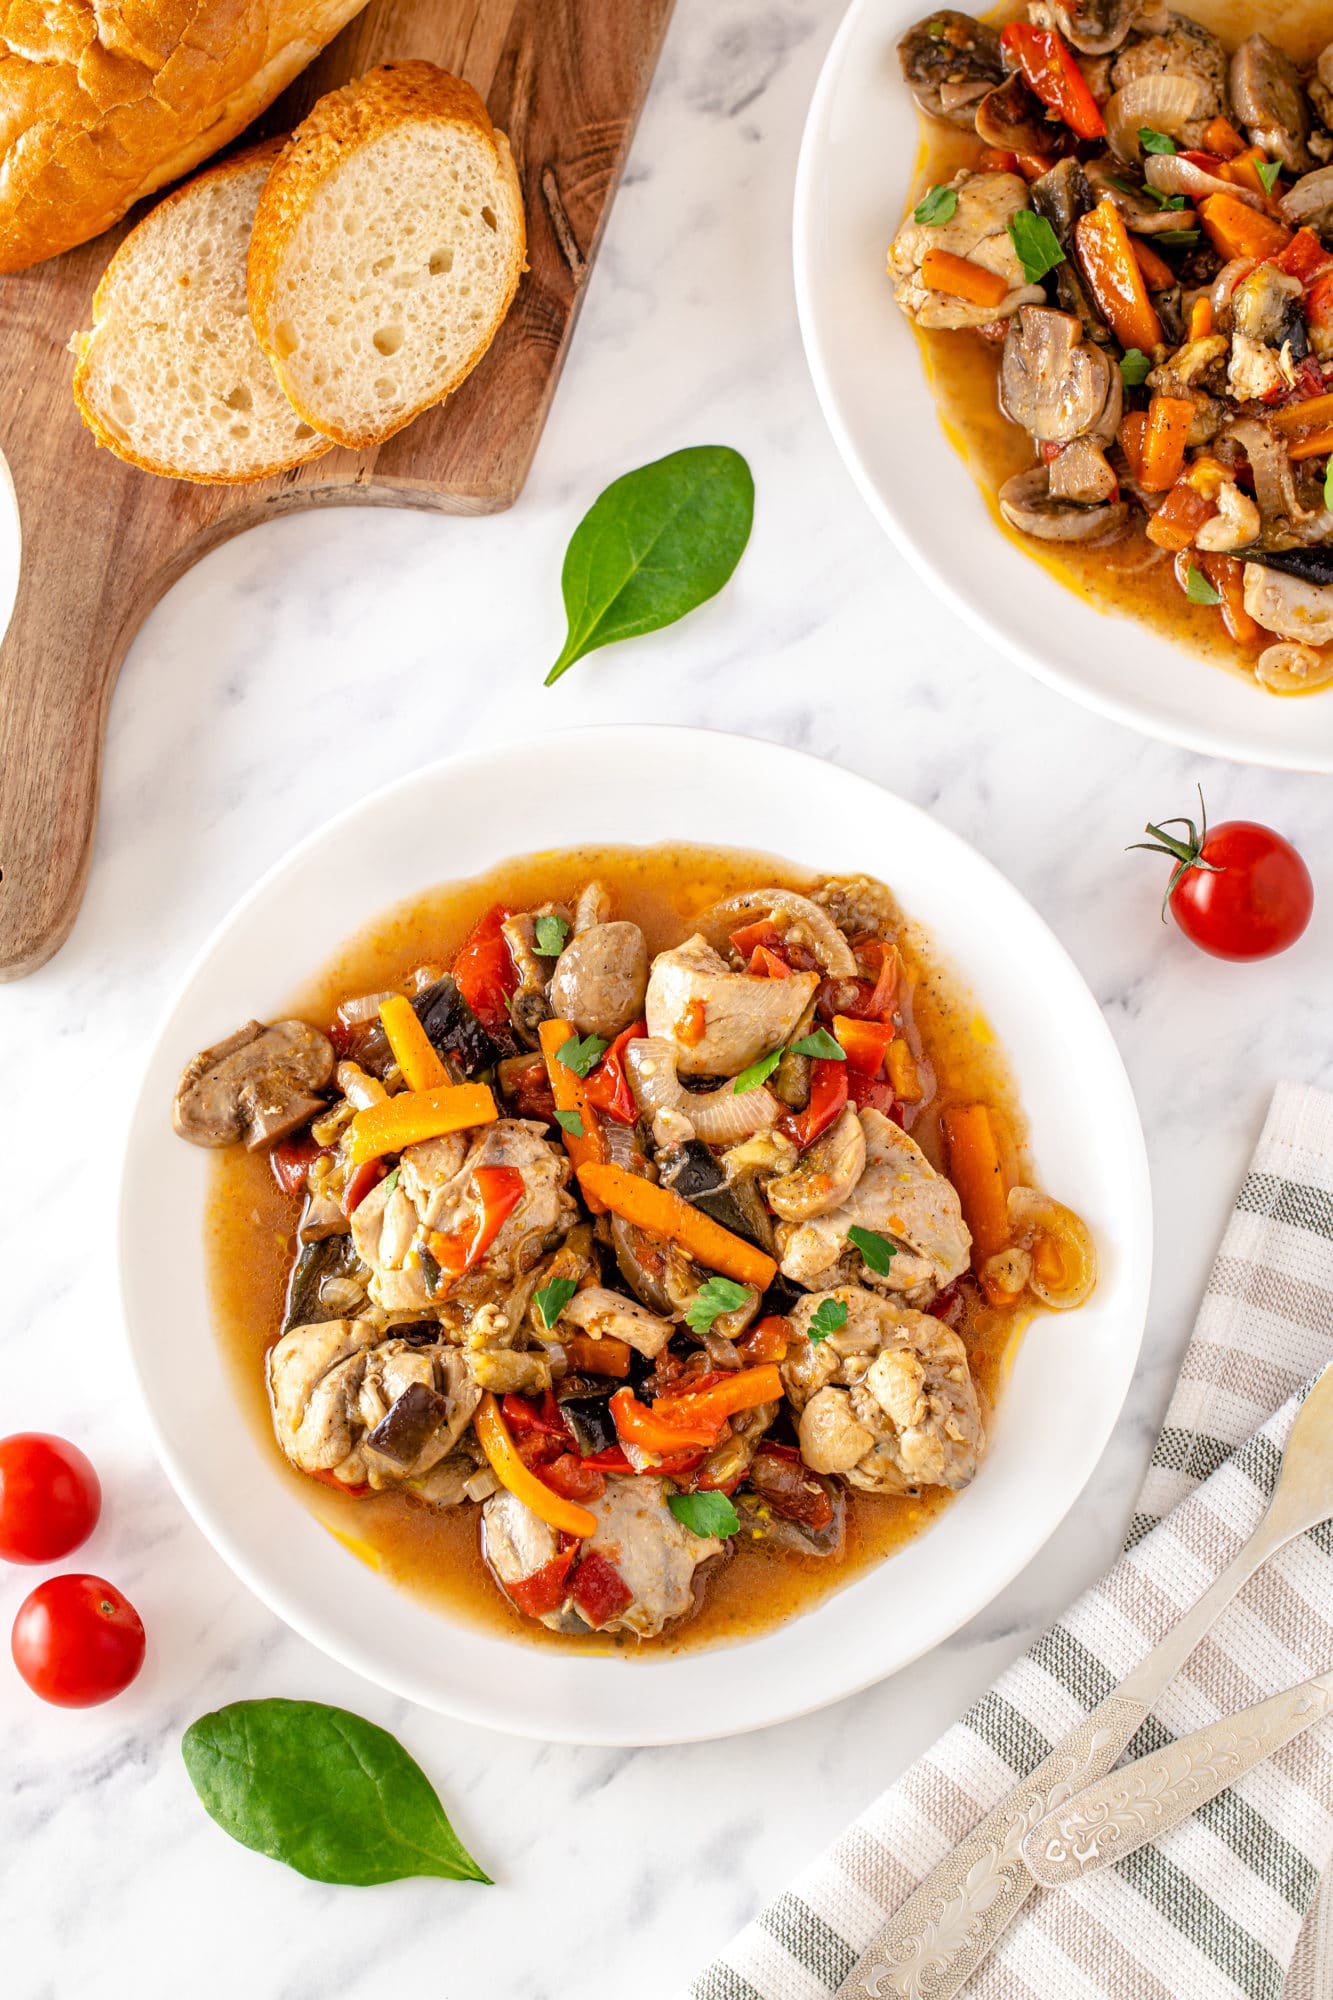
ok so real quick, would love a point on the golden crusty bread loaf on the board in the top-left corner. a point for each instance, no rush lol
(105, 101)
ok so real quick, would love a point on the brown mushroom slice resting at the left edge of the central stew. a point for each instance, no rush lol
(255, 1087)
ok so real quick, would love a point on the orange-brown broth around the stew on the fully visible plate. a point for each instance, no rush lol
(251, 1241)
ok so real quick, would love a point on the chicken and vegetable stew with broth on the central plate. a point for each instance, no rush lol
(627, 1247)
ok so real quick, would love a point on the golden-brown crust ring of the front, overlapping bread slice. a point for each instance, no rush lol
(363, 111)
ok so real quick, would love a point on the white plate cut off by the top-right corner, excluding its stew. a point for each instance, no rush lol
(858, 159)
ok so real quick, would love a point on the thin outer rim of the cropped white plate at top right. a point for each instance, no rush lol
(1042, 667)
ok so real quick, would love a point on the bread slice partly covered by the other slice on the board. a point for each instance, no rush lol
(171, 375)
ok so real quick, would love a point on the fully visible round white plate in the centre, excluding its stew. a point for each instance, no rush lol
(1072, 1373)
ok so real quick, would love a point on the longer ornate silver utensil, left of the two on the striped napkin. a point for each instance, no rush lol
(938, 1939)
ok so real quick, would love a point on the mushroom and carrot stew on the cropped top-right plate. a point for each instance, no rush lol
(1120, 255)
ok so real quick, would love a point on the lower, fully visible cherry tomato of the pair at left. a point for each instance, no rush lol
(77, 1641)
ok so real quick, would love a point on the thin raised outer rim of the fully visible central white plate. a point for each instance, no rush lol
(1138, 1211)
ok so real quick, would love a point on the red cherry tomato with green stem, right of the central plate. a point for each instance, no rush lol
(1238, 891)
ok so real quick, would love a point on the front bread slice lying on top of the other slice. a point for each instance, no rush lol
(387, 249)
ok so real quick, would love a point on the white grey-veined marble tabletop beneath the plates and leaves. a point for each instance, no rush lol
(305, 665)
